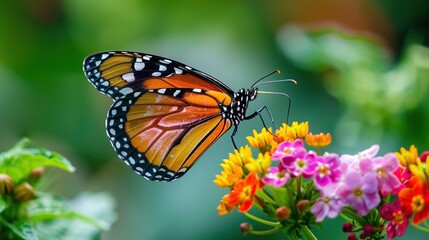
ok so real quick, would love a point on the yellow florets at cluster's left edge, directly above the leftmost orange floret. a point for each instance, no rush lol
(233, 167)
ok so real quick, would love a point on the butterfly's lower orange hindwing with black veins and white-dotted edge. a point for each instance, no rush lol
(160, 135)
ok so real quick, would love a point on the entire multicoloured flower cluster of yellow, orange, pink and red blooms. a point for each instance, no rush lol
(297, 186)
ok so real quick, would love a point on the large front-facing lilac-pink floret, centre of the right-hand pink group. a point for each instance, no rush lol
(361, 192)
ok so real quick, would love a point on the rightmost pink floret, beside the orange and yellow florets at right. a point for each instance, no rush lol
(384, 168)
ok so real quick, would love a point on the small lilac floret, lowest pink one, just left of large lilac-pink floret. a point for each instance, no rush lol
(328, 205)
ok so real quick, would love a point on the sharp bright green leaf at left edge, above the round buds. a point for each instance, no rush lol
(19, 161)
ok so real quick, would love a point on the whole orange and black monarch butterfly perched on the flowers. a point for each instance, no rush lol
(165, 114)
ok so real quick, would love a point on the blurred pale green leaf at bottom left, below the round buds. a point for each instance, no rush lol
(81, 218)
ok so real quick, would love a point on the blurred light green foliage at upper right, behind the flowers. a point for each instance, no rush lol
(377, 92)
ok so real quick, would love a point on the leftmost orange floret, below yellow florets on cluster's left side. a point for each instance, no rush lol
(243, 192)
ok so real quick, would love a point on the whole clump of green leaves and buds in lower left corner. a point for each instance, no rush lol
(29, 214)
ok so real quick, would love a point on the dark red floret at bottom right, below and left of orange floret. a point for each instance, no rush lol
(398, 221)
